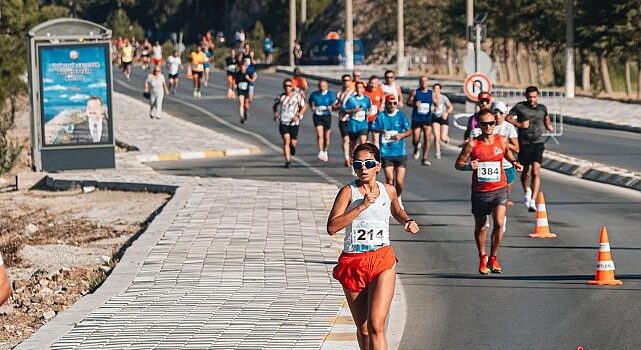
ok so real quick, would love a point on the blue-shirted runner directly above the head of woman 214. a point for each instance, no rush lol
(357, 108)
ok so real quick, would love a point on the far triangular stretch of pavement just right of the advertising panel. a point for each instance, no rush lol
(169, 138)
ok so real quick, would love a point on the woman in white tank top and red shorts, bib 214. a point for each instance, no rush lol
(366, 267)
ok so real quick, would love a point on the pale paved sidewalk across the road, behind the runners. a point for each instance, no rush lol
(583, 111)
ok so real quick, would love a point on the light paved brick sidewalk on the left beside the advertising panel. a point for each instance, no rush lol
(227, 264)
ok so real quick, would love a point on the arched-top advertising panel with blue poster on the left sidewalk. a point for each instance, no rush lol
(70, 84)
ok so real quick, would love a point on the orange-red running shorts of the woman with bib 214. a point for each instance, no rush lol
(355, 271)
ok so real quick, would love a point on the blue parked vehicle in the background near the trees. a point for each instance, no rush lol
(332, 52)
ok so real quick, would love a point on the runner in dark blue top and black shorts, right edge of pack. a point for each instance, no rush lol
(422, 118)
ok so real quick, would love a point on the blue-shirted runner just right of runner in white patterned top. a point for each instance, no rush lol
(322, 102)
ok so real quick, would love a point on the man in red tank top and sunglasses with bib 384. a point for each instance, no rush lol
(489, 194)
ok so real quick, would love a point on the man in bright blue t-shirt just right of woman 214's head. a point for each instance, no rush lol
(390, 129)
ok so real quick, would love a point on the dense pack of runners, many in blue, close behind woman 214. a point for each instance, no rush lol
(368, 111)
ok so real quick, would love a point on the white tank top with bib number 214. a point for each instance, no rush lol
(370, 230)
